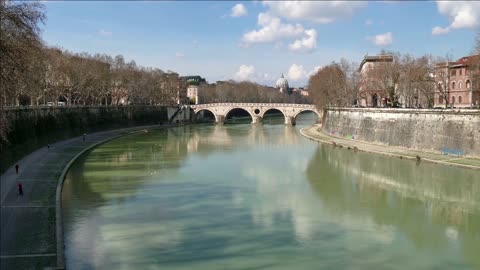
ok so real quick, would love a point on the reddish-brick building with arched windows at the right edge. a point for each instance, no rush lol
(457, 84)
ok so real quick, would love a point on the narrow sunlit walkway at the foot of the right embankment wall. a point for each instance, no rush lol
(315, 133)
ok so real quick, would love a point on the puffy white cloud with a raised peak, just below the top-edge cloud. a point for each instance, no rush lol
(272, 30)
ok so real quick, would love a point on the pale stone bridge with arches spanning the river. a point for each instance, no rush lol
(256, 110)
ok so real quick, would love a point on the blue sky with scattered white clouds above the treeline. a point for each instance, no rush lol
(260, 40)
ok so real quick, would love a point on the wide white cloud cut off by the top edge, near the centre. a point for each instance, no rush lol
(314, 11)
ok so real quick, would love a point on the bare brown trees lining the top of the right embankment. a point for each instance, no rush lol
(409, 81)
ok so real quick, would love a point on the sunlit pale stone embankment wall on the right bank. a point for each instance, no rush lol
(454, 132)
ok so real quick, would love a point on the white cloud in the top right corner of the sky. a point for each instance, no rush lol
(461, 14)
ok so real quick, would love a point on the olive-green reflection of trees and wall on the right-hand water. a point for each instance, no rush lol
(431, 205)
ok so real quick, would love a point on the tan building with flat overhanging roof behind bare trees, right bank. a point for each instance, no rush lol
(372, 89)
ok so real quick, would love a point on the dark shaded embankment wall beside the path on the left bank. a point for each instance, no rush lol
(32, 128)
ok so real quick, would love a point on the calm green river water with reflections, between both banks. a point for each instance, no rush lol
(243, 196)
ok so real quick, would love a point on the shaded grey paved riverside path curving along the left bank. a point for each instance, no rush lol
(28, 222)
